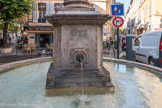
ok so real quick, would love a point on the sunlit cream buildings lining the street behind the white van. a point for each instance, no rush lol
(143, 16)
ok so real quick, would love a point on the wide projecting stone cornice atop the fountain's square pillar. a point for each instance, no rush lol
(78, 18)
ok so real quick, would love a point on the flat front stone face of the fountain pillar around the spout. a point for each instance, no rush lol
(79, 39)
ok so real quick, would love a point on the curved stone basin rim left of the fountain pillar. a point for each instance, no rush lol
(13, 65)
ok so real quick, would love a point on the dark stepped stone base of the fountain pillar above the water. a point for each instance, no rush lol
(59, 79)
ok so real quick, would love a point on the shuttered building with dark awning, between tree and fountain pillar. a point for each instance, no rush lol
(39, 31)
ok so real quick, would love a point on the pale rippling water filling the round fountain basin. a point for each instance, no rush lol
(134, 88)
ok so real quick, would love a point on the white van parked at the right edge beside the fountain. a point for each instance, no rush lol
(148, 48)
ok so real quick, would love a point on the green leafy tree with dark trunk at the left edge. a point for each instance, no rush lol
(11, 10)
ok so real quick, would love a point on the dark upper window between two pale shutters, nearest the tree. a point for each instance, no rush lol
(42, 11)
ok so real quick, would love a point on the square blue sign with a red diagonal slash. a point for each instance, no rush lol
(117, 10)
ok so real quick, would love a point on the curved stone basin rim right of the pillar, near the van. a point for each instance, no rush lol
(147, 67)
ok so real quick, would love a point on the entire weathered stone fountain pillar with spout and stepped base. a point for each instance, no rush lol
(77, 38)
